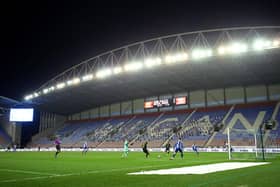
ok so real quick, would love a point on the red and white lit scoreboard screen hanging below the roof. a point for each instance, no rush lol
(165, 102)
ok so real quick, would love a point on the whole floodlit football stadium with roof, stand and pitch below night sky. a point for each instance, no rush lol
(199, 108)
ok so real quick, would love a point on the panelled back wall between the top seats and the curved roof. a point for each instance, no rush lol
(195, 99)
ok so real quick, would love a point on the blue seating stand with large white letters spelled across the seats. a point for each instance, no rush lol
(203, 126)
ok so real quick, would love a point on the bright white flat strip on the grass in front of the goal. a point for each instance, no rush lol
(201, 169)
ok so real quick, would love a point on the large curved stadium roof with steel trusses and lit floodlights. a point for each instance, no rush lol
(171, 64)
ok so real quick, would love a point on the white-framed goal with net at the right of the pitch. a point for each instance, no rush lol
(244, 144)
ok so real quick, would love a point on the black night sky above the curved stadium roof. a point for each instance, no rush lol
(41, 39)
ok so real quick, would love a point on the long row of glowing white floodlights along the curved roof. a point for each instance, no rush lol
(196, 54)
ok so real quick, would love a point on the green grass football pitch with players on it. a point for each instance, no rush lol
(99, 169)
